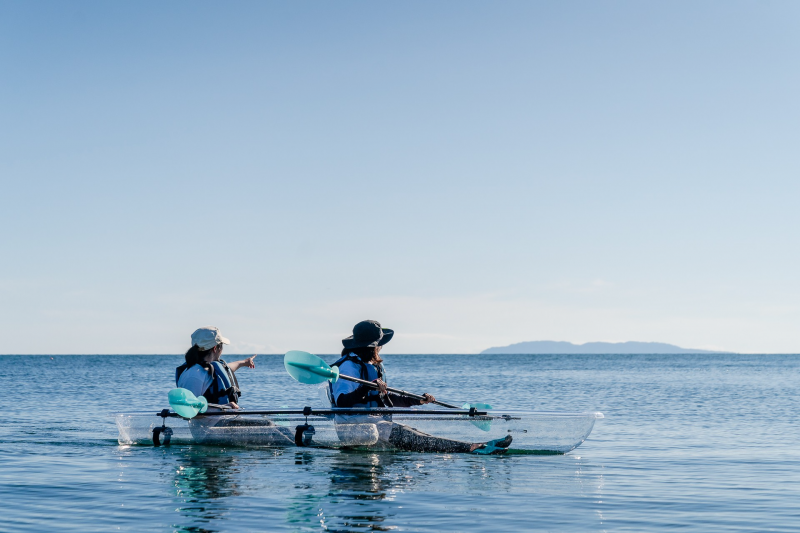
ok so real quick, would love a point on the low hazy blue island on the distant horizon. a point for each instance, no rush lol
(558, 347)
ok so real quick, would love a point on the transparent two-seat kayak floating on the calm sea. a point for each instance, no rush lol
(533, 432)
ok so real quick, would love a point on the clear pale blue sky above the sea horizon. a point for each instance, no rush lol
(471, 174)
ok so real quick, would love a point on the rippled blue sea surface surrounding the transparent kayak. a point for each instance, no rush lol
(688, 442)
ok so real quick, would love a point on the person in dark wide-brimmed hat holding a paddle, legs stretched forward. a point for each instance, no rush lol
(361, 359)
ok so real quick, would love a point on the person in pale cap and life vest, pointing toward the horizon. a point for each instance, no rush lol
(206, 374)
